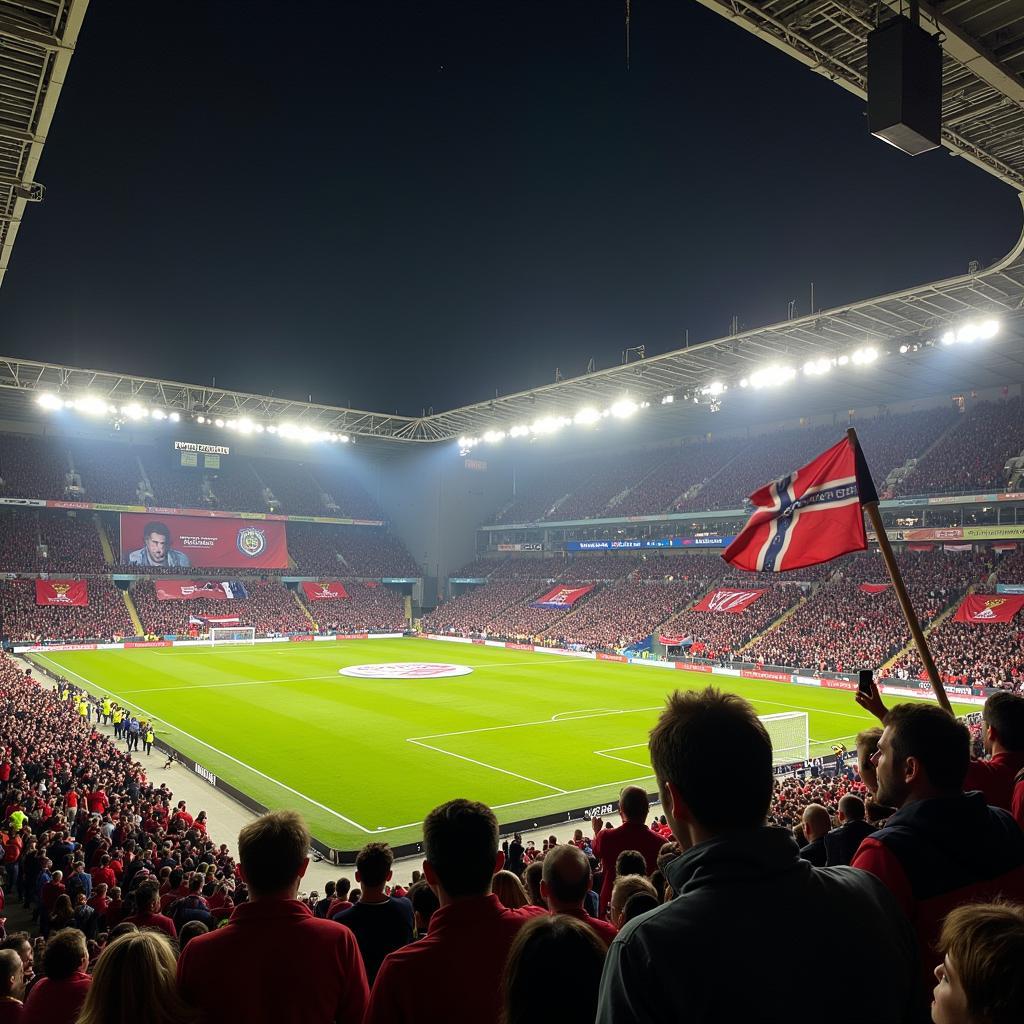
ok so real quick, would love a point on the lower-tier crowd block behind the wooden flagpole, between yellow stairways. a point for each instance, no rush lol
(848, 624)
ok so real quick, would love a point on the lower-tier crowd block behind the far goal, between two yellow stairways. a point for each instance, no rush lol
(269, 606)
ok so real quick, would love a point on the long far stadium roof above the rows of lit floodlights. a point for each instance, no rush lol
(916, 316)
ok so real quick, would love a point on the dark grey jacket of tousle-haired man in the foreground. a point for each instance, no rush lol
(755, 933)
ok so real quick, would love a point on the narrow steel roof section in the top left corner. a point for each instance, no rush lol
(37, 40)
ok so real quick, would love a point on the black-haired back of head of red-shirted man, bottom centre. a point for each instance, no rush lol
(460, 843)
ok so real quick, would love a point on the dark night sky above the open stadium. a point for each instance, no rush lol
(404, 205)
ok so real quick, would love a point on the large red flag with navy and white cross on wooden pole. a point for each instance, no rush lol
(808, 518)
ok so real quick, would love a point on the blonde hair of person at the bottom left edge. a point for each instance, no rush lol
(136, 980)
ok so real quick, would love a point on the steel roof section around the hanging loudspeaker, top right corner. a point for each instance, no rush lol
(983, 69)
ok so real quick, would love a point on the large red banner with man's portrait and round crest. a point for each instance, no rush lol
(184, 541)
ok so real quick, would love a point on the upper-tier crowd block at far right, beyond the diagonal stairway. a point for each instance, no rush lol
(972, 456)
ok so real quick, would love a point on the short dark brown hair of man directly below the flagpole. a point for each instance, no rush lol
(942, 744)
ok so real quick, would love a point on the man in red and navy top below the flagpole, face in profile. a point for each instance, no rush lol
(943, 848)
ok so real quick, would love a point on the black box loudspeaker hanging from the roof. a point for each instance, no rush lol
(905, 87)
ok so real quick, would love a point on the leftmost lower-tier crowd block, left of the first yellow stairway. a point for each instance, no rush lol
(105, 618)
